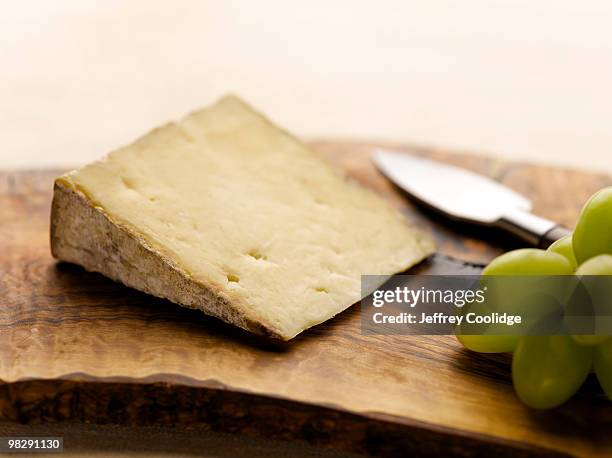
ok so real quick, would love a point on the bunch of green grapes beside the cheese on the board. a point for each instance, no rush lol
(548, 369)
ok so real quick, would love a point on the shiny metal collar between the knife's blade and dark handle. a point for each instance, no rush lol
(535, 230)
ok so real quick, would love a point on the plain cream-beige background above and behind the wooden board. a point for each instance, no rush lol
(518, 78)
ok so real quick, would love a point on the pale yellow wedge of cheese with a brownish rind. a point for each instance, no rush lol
(228, 214)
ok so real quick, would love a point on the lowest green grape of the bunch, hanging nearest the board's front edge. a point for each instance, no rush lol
(548, 370)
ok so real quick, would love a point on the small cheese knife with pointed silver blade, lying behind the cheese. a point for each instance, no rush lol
(466, 196)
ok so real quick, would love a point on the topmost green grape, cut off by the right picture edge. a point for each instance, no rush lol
(593, 233)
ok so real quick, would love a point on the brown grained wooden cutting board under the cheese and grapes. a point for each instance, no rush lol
(75, 345)
